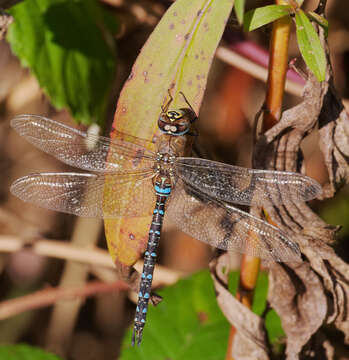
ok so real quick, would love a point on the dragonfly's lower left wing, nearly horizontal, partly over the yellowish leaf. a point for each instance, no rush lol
(89, 195)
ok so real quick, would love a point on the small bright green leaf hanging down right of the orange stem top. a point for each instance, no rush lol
(310, 46)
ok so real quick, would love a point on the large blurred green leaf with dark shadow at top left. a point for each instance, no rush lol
(64, 43)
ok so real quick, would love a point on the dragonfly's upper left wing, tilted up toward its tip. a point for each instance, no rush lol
(79, 149)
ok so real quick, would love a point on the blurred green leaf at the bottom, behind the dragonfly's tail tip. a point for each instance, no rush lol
(187, 324)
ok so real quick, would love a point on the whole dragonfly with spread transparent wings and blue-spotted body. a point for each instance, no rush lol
(125, 178)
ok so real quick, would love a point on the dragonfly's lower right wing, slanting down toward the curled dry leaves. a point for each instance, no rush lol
(226, 227)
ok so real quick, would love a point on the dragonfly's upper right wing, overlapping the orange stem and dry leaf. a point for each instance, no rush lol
(234, 184)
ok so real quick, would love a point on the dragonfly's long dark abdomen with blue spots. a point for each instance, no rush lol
(162, 189)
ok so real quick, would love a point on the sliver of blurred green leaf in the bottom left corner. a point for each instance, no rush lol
(25, 352)
